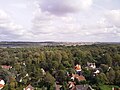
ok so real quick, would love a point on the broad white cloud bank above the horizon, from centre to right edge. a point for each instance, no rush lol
(48, 26)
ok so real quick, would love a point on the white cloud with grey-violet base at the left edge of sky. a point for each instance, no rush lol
(9, 30)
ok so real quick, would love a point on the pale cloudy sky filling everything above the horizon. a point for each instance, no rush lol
(60, 20)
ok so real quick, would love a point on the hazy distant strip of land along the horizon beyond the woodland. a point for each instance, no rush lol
(35, 44)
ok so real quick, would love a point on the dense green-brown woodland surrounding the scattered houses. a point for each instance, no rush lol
(56, 62)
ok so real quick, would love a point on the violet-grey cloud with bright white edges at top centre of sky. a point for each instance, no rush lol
(62, 7)
